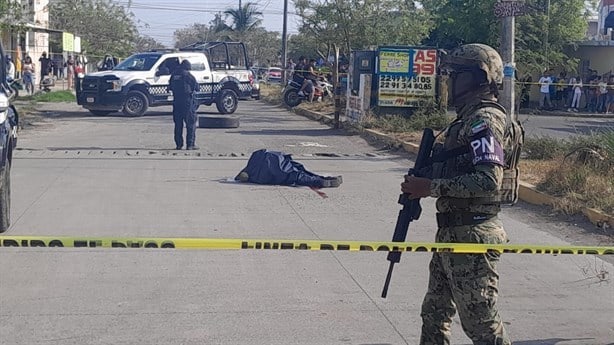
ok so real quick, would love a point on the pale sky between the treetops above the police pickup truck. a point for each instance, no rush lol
(160, 18)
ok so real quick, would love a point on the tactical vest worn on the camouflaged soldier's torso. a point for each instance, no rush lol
(453, 158)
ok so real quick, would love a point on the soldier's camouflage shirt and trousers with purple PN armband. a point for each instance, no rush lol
(466, 186)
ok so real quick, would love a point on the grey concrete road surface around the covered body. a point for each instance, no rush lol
(80, 175)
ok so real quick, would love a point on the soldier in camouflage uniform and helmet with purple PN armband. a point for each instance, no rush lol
(467, 181)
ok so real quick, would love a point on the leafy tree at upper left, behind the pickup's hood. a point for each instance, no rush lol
(104, 27)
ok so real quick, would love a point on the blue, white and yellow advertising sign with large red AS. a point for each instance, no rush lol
(407, 77)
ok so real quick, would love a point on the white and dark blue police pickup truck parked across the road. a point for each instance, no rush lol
(141, 81)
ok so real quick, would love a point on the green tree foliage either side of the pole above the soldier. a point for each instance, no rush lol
(543, 35)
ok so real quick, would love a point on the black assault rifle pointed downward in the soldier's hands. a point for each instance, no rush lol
(411, 207)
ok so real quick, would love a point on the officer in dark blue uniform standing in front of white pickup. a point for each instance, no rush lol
(184, 87)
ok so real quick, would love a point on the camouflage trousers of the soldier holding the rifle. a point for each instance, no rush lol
(466, 283)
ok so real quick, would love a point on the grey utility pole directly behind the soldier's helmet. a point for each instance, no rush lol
(507, 98)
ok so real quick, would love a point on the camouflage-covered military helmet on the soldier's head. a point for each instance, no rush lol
(476, 55)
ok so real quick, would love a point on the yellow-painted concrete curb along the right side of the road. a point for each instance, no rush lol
(527, 192)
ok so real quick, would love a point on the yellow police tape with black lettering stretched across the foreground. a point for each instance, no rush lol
(251, 244)
